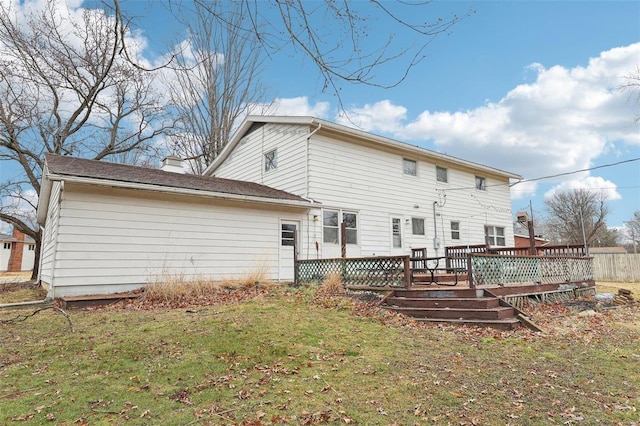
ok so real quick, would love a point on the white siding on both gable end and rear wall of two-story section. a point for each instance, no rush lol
(354, 175)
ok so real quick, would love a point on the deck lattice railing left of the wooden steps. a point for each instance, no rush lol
(388, 271)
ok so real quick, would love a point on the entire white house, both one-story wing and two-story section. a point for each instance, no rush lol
(111, 228)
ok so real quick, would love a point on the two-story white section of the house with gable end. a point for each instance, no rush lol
(391, 196)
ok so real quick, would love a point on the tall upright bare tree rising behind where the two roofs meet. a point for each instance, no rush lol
(213, 80)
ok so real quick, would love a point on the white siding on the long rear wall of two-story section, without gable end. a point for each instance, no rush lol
(365, 179)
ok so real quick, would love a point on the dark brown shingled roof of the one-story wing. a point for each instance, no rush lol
(71, 166)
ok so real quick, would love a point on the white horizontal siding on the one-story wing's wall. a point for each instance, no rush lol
(117, 240)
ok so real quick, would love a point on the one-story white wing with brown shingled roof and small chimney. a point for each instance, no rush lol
(110, 228)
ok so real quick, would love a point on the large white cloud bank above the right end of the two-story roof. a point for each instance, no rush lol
(561, 122)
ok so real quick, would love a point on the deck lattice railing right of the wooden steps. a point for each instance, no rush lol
(493, 269)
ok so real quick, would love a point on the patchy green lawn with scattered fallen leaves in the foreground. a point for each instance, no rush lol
(287, 356)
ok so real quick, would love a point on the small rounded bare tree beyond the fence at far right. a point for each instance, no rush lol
(574, 211)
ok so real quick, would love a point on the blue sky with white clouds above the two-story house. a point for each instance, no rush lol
(524, 86)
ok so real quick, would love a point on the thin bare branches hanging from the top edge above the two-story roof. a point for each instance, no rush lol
(364, 41)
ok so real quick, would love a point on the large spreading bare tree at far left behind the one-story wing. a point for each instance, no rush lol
(66, 88)
